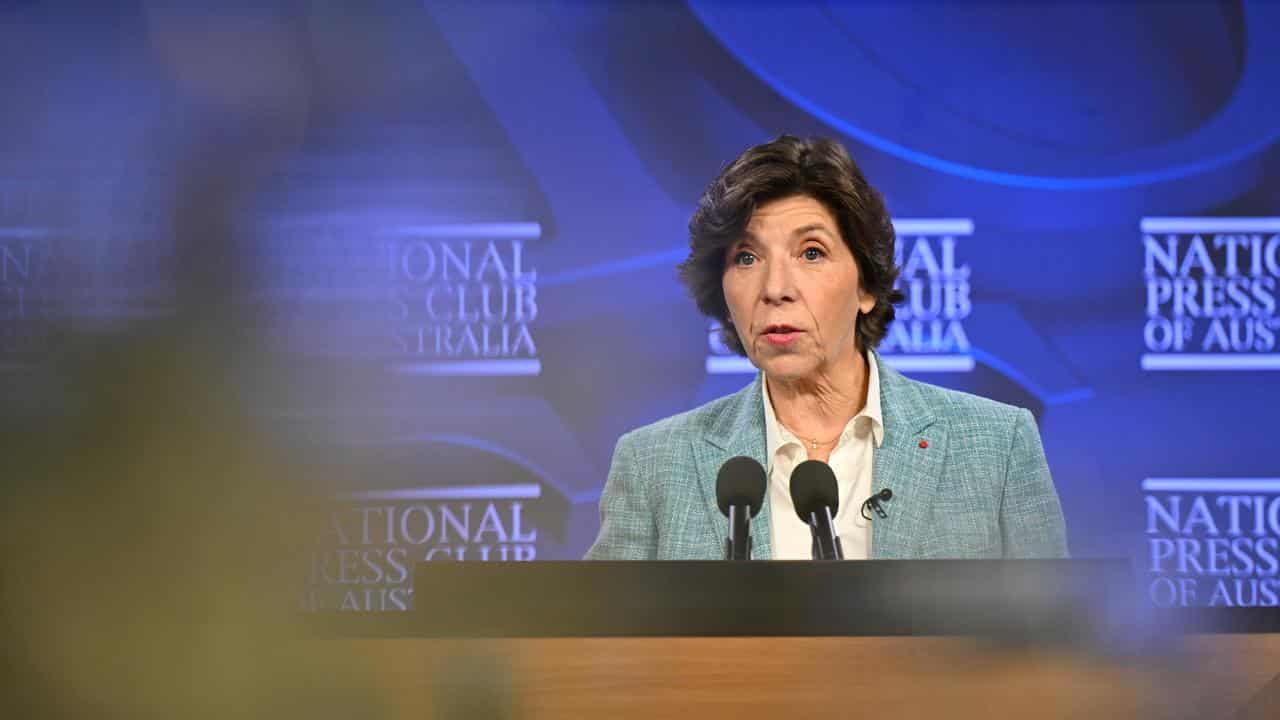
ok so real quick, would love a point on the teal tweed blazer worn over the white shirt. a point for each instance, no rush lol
(981, 489)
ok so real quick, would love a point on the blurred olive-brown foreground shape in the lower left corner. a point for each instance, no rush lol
(149, 550)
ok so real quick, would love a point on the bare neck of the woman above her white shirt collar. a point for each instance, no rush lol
(819, 408)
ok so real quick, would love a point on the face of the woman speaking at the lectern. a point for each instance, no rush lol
(794, 291)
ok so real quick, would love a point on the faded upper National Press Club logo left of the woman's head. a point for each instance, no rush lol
(465, 299)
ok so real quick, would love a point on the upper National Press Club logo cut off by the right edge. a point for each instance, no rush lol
(1212, 294)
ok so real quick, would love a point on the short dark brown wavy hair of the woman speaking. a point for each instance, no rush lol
(787, 167)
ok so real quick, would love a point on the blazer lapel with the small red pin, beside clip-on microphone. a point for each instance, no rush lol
(900, 464)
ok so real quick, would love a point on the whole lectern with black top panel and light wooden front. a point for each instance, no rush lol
(778, 640)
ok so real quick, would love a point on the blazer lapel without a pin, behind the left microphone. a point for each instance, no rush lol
(739, 430)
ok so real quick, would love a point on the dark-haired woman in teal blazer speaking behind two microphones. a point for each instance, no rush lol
(793, 252)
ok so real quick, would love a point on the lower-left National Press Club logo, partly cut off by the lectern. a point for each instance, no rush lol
(371, 541)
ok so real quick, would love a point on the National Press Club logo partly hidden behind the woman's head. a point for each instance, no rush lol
(927, 334)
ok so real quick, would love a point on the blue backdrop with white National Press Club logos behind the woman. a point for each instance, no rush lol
(455, 229)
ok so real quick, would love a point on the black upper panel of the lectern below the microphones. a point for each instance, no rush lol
(696, 599)
